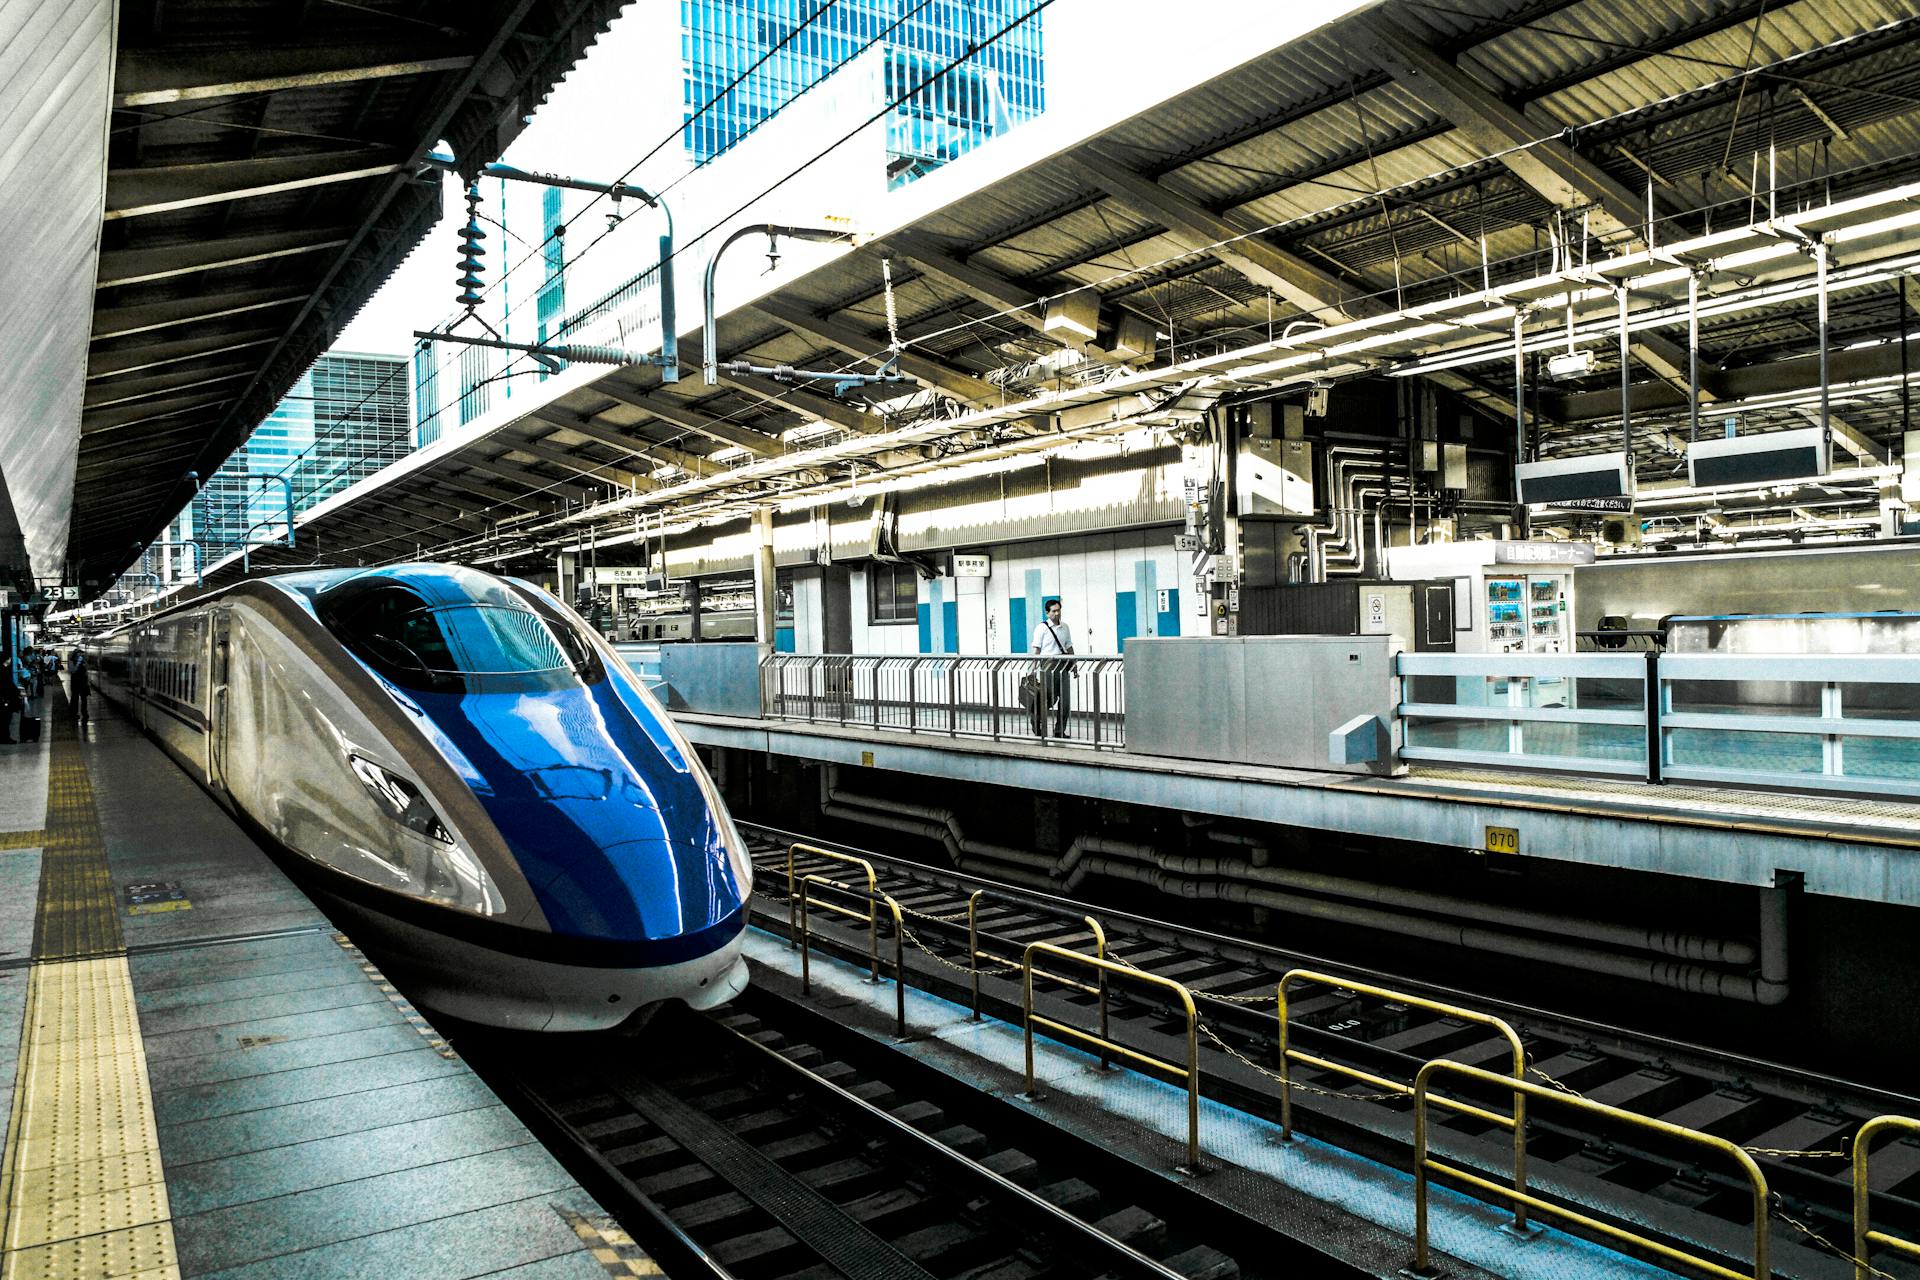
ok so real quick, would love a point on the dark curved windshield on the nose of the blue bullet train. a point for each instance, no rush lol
(458, 648)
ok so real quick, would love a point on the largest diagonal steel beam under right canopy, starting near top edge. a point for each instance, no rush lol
(1529, 151)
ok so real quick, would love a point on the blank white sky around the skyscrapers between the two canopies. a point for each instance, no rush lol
(1105, 62)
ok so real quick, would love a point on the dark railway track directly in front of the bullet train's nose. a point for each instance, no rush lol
(765, 1143)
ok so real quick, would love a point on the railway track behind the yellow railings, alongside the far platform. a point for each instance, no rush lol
(1796, 1126)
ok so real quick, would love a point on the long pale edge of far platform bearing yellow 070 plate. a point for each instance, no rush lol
(1844, 847)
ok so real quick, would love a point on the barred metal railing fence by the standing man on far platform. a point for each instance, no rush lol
(955, 696)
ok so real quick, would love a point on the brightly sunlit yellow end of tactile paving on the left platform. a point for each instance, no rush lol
(85, 1193)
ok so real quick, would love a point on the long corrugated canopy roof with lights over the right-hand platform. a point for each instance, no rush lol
(1360, 202)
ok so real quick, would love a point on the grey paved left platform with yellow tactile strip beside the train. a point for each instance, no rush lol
(201, 1078)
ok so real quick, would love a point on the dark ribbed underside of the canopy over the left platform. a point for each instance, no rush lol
(260, 185)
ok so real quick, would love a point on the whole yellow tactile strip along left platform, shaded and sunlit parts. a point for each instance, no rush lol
(82, 1185)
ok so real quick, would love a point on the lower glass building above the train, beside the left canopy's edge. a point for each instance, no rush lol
(347, 419)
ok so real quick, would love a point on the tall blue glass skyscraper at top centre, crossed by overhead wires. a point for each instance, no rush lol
(946, 103)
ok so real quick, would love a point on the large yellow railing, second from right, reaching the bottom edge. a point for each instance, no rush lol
(1426, 1166)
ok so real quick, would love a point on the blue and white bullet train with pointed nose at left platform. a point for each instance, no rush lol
(466, 776)
